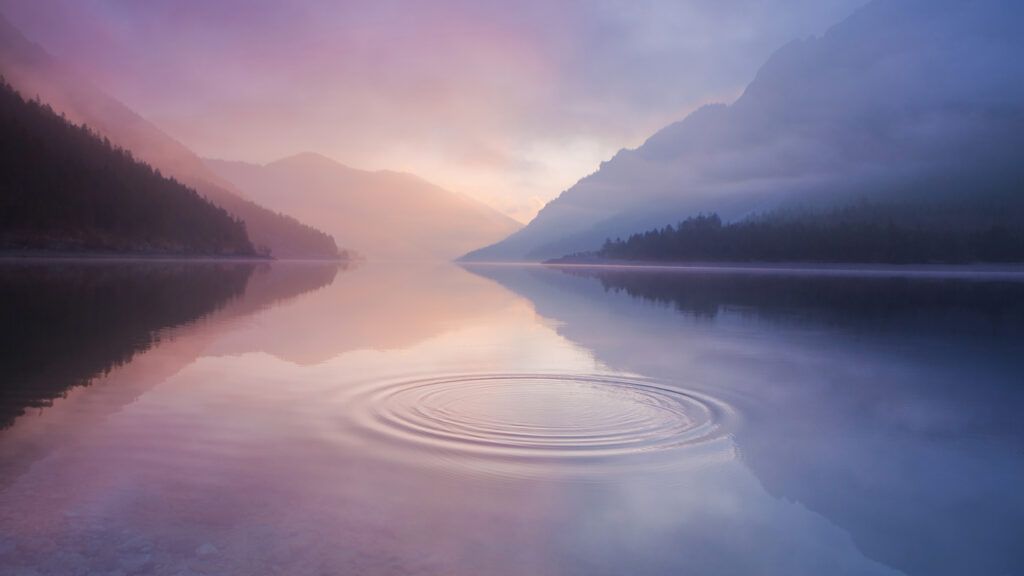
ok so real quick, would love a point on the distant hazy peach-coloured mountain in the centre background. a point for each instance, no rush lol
(381, 215)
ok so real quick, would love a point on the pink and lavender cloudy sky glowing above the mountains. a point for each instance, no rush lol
(510, 103)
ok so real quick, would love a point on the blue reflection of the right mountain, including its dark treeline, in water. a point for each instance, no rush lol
(888, 406)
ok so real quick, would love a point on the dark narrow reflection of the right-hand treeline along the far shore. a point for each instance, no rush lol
(839, 301)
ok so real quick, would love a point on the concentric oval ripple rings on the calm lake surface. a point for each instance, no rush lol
(556, 426)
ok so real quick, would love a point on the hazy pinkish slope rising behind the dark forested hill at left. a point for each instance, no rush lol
(34, 73)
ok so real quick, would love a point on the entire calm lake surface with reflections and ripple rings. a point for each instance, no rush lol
(184, 420)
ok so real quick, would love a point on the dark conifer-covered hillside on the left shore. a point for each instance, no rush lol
(62, 188)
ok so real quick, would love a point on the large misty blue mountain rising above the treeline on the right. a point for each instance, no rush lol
(908, 101)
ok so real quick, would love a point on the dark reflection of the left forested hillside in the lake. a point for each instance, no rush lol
(62, 326)
